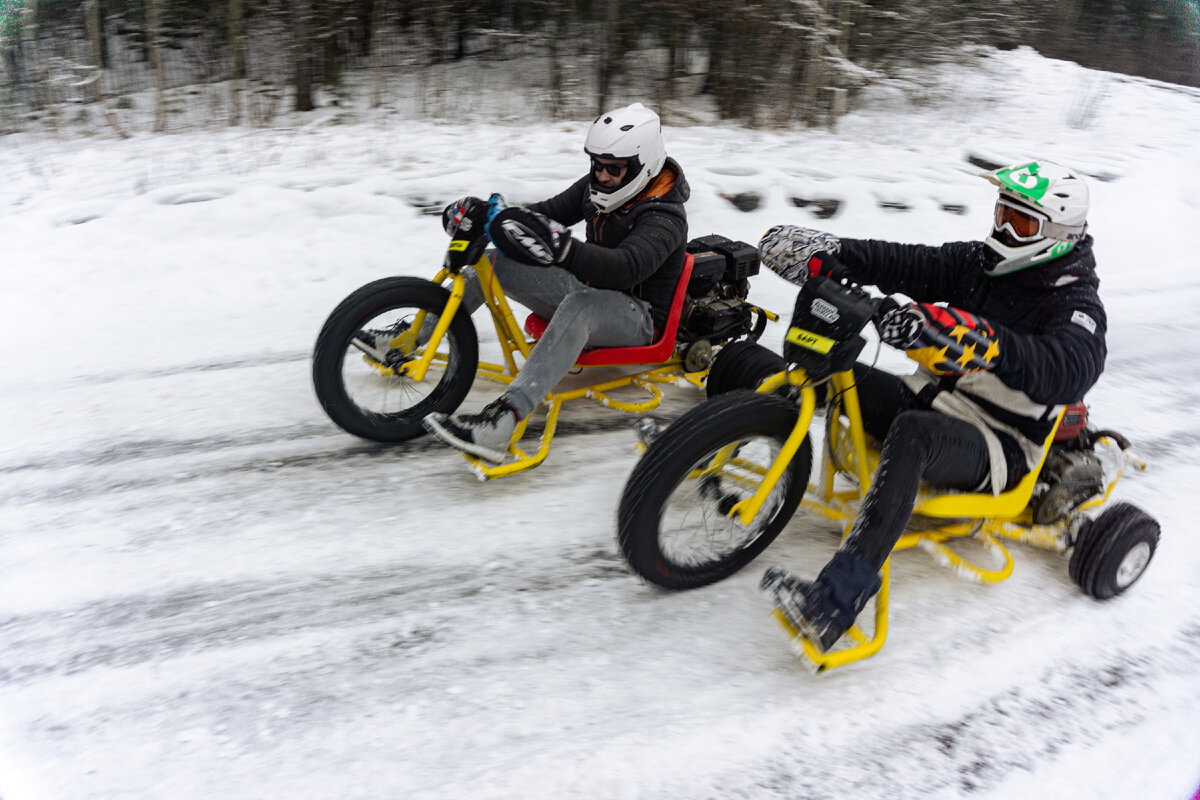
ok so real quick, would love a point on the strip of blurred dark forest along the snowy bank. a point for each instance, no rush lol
(94, 64)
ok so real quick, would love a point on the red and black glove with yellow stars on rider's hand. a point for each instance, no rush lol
(945, 341)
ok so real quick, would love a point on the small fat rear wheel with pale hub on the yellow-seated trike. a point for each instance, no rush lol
(1113, 551)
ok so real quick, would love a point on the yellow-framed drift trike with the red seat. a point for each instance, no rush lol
(401, 348)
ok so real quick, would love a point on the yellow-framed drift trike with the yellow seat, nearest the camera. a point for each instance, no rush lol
(716, 488)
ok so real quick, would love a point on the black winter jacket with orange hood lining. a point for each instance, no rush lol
(638, 249)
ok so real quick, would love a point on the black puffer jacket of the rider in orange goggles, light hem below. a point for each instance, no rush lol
(1049, 322)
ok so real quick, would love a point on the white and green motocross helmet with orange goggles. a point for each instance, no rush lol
(1041, 214)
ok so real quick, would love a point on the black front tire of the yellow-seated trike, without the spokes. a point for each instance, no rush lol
(675, 456)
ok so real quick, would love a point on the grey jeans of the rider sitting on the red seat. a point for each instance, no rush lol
(580, 317)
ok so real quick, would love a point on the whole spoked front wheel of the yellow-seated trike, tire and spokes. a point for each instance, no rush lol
(673, 524)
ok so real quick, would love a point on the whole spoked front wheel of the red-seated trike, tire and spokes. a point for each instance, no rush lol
(357, 393)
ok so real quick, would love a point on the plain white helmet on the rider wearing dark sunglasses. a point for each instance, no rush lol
(632, 134)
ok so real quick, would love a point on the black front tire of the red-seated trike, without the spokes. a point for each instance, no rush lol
(352, 315)
